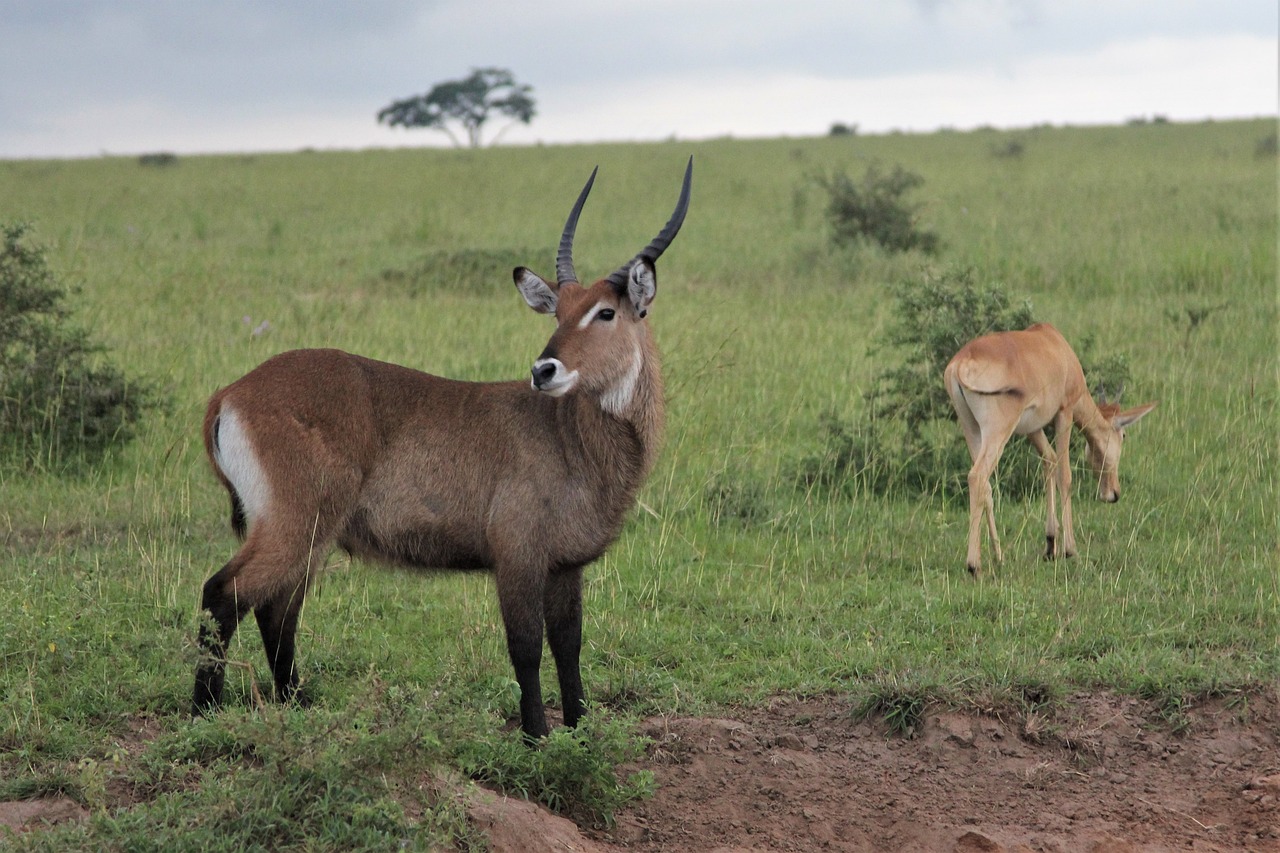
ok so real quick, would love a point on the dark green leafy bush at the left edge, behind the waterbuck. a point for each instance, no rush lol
(61, 400)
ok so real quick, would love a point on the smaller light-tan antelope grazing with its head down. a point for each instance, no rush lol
(1021, 382)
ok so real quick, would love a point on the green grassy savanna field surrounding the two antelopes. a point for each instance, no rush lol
(732, 585)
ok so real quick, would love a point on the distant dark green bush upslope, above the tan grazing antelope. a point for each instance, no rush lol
(875, 211)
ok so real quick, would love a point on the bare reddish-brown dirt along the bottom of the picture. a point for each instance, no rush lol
(1104, 776)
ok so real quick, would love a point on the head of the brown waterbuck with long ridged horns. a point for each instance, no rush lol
(602, 339)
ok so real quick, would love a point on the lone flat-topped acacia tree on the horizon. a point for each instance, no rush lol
(469, 102)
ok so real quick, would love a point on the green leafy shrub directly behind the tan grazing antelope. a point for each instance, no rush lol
(906, 440)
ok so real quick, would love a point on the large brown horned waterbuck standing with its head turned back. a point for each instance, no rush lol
(531, 480)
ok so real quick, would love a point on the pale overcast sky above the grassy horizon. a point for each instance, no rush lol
(85, 77)
